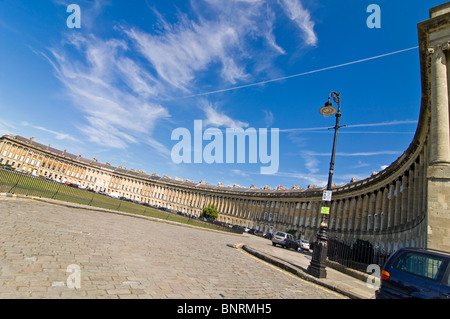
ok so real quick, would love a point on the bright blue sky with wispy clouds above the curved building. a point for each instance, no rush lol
(117, 87)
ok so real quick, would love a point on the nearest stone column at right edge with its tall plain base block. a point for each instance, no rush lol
(438, 170)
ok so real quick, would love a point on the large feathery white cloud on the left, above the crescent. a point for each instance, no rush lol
(110, 89)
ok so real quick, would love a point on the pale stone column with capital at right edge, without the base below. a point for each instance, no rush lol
(439, 130)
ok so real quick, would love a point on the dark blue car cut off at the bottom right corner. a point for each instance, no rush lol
(415, 273)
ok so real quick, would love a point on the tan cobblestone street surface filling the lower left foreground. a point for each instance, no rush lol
(53, 251)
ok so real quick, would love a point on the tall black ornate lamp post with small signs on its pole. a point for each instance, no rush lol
(317, 267)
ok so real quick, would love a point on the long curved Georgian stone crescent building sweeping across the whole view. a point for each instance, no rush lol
(407, 204)
